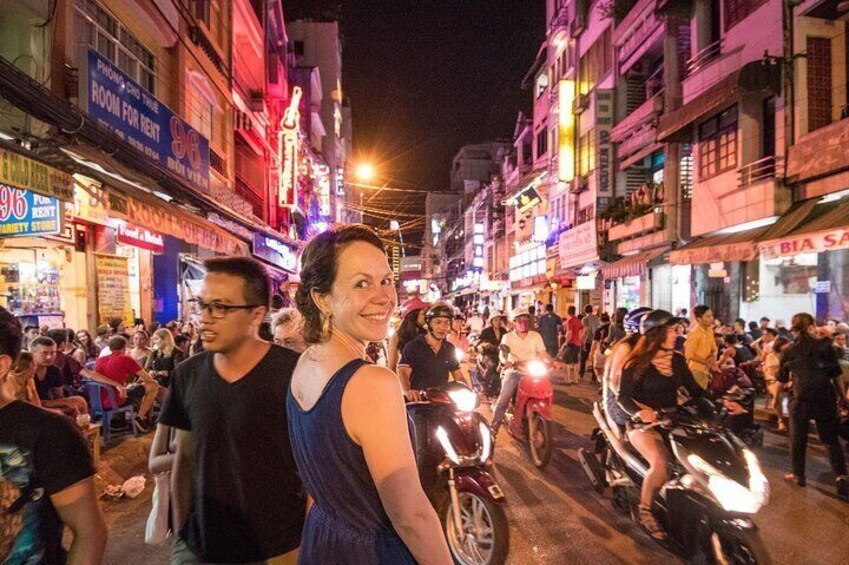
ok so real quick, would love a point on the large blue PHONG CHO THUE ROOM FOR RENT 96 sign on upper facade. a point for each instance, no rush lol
(147, 124)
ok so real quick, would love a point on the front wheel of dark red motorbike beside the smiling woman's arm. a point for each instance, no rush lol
(485, 539)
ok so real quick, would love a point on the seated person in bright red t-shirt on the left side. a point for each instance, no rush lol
(119, 367)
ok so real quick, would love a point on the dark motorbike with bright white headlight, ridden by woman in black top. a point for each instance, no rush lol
(716, 484)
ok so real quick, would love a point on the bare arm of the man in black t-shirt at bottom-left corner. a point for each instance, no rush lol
(78, 509)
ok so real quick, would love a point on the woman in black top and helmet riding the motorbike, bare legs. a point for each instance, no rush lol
(652, 375)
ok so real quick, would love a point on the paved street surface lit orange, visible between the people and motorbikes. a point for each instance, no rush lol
(556, 517)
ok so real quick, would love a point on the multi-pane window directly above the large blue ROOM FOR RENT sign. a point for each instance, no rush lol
(104, 33)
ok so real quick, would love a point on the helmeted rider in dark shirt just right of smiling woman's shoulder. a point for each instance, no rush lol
(429, 360)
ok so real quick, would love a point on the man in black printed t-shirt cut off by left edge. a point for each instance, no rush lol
(46, 476)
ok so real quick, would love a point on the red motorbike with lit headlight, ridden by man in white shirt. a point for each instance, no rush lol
(528, 416)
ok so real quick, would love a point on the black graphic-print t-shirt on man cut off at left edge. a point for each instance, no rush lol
(41, 454)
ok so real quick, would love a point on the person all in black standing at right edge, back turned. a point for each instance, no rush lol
(811, 363)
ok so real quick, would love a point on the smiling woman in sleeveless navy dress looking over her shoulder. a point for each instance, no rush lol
(347, 419)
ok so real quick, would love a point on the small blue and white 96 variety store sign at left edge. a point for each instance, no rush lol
(23, 212)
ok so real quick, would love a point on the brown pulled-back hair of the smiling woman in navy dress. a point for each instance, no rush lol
(319, 267)
